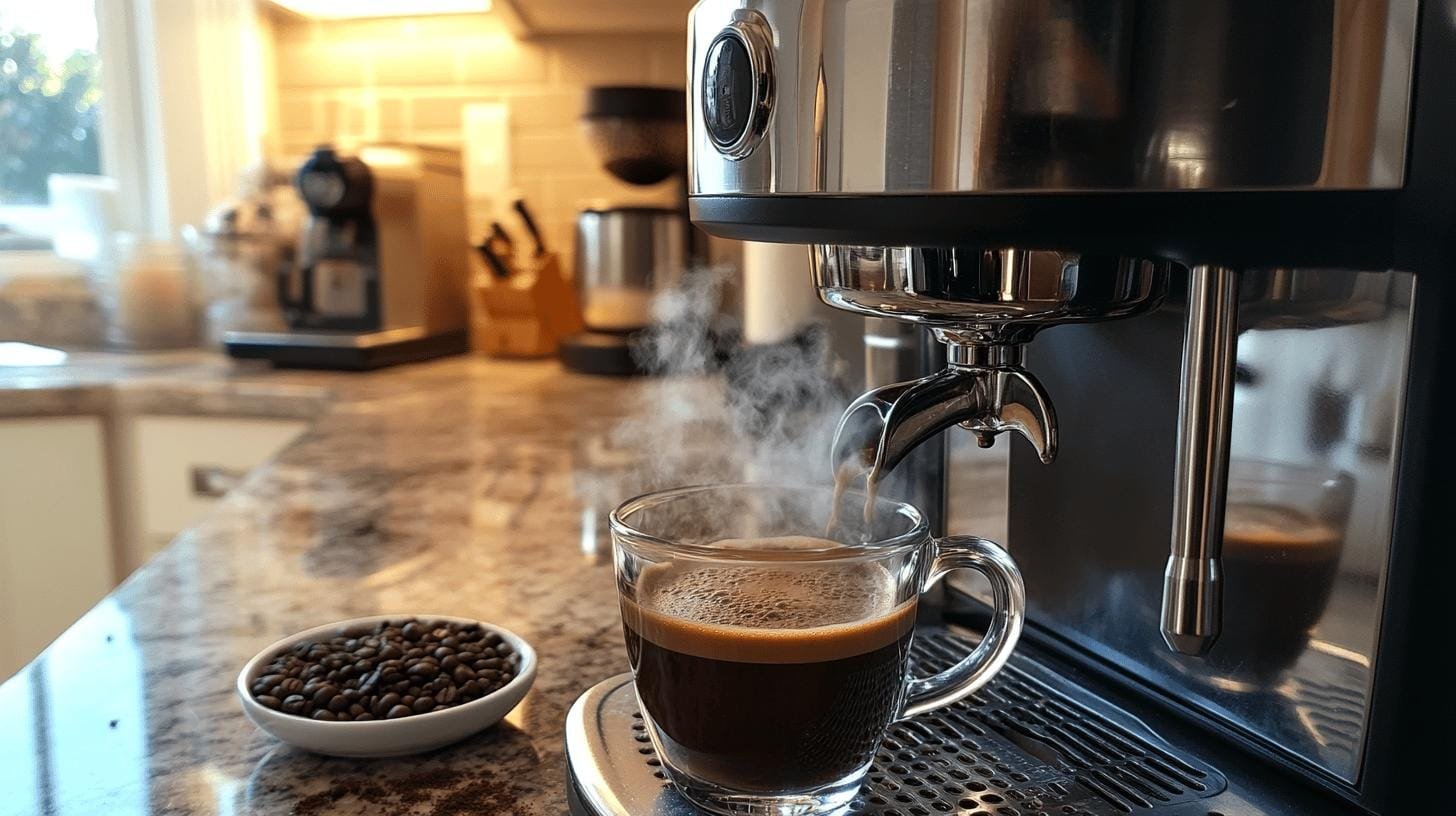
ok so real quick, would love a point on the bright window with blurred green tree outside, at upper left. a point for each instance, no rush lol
(50, 109)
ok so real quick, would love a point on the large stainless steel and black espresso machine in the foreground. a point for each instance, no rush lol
(1192, 260)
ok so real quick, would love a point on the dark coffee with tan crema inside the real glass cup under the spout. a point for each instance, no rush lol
(769, 707)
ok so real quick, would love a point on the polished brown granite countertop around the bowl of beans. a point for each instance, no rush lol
(461, 487)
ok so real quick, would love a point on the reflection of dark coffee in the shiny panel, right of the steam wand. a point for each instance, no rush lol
(1279, 568)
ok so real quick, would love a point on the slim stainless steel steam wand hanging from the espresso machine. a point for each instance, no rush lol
(1193, 592)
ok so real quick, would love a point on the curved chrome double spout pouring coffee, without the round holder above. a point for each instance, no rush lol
(984, 388)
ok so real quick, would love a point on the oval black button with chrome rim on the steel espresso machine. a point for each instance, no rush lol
(737, 87)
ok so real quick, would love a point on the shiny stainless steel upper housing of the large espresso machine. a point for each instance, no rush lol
(995, 95)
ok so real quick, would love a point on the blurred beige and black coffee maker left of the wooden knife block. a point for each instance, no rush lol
(382, 266)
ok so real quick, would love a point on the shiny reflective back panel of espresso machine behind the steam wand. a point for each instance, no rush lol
(1093, 569)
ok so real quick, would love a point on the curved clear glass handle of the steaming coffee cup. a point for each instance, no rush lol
(988, 559)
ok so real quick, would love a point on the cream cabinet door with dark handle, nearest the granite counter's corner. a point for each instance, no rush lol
(181, 467)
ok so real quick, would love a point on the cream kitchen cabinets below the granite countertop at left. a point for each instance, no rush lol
(87, 501)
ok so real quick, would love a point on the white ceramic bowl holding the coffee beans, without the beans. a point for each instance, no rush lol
(387, 738)
